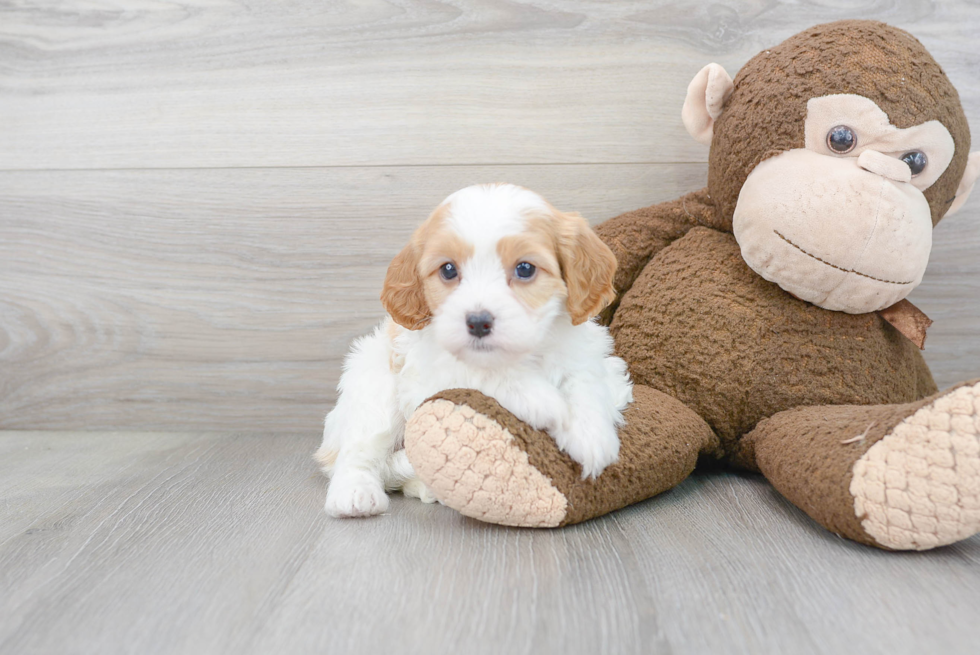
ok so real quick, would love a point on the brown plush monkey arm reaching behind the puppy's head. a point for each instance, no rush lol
(637, 236)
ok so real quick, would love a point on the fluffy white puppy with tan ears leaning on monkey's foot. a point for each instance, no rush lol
(493, 292)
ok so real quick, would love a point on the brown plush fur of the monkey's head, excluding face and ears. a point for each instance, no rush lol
(764, 116)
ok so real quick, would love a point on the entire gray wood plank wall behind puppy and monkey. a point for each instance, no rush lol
(198, 199)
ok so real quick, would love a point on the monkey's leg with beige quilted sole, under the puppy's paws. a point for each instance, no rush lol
(482, 461)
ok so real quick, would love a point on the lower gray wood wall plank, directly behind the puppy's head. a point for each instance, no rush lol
(226, 299)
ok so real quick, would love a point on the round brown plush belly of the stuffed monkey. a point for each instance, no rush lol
(700, 325)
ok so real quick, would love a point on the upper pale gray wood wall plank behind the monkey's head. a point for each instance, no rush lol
(205, 83)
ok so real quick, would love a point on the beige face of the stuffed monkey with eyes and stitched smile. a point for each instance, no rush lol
(841, 220)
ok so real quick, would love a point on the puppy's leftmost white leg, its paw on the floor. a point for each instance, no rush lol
(360, 433)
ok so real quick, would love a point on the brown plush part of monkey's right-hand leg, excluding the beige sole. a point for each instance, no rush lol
(809, 453)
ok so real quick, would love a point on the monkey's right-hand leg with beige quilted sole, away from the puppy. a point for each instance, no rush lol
(900, 477)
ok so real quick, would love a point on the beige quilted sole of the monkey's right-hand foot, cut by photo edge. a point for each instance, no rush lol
(919, 486)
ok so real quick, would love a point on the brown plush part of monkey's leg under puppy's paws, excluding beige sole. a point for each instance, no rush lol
(659, 448)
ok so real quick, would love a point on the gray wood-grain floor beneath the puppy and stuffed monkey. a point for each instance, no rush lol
(206, 543)
